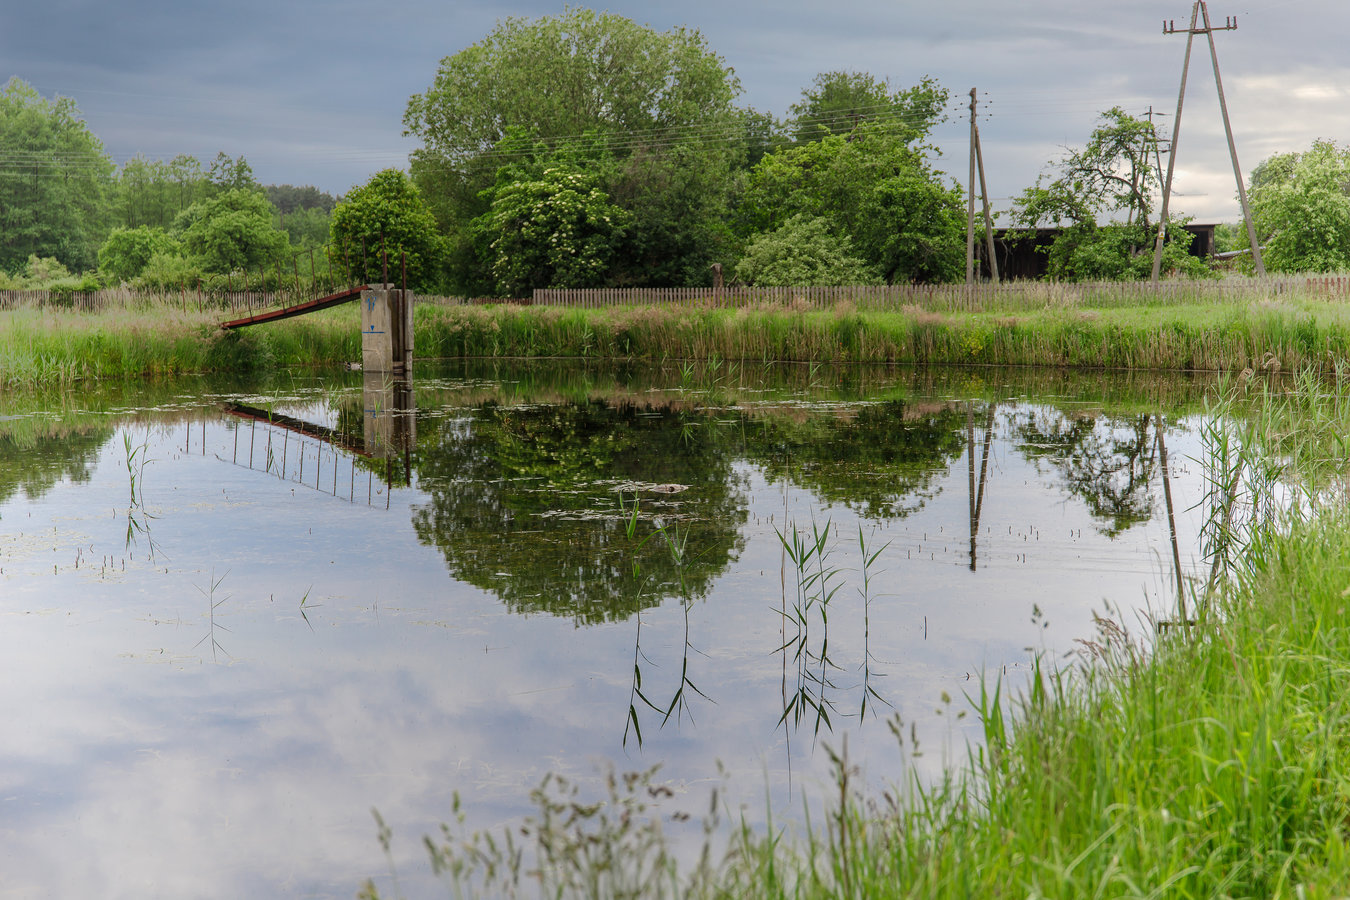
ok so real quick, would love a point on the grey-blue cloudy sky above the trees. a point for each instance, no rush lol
(315, 92)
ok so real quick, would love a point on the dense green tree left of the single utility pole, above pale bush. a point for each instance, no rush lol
(873, 188)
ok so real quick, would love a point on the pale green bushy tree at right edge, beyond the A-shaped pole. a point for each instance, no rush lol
(1301, 204)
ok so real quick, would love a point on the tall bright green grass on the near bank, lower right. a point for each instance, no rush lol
(1213, 764)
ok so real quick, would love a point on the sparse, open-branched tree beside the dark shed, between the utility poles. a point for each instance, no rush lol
(1102, 199)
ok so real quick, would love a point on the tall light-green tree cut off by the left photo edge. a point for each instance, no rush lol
(55, 181)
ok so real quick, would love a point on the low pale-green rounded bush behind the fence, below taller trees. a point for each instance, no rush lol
(804, 252)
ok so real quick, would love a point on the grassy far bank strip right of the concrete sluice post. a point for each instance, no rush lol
(1235, 335)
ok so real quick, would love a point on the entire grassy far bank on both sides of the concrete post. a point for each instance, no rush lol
(1293, 333)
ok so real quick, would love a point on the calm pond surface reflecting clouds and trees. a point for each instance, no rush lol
(237, 617)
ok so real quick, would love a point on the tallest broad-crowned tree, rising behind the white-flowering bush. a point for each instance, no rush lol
(654, 109)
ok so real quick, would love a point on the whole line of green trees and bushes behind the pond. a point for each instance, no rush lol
(585, 150)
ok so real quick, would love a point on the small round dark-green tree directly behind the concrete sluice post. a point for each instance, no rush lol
(388, 214)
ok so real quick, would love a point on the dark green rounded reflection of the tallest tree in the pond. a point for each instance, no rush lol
(526, 503)
